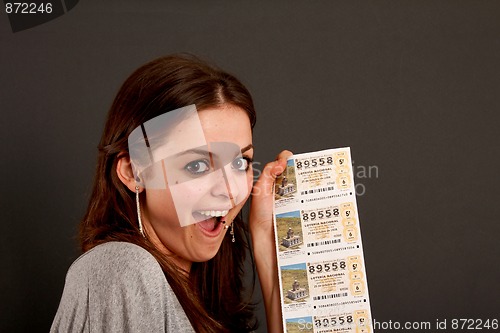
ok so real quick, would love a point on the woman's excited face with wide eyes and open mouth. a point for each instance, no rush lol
(206, 190)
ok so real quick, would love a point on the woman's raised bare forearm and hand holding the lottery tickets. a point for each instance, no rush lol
(261, 229)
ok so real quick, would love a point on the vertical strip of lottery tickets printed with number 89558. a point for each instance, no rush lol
(318, 243)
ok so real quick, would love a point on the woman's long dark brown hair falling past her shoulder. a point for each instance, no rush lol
(211, 295)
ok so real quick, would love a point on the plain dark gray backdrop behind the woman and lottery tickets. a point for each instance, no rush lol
(413, 87)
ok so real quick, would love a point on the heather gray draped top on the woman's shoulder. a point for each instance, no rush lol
(118, 287)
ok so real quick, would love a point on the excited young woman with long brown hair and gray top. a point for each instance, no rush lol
(163, 239)
